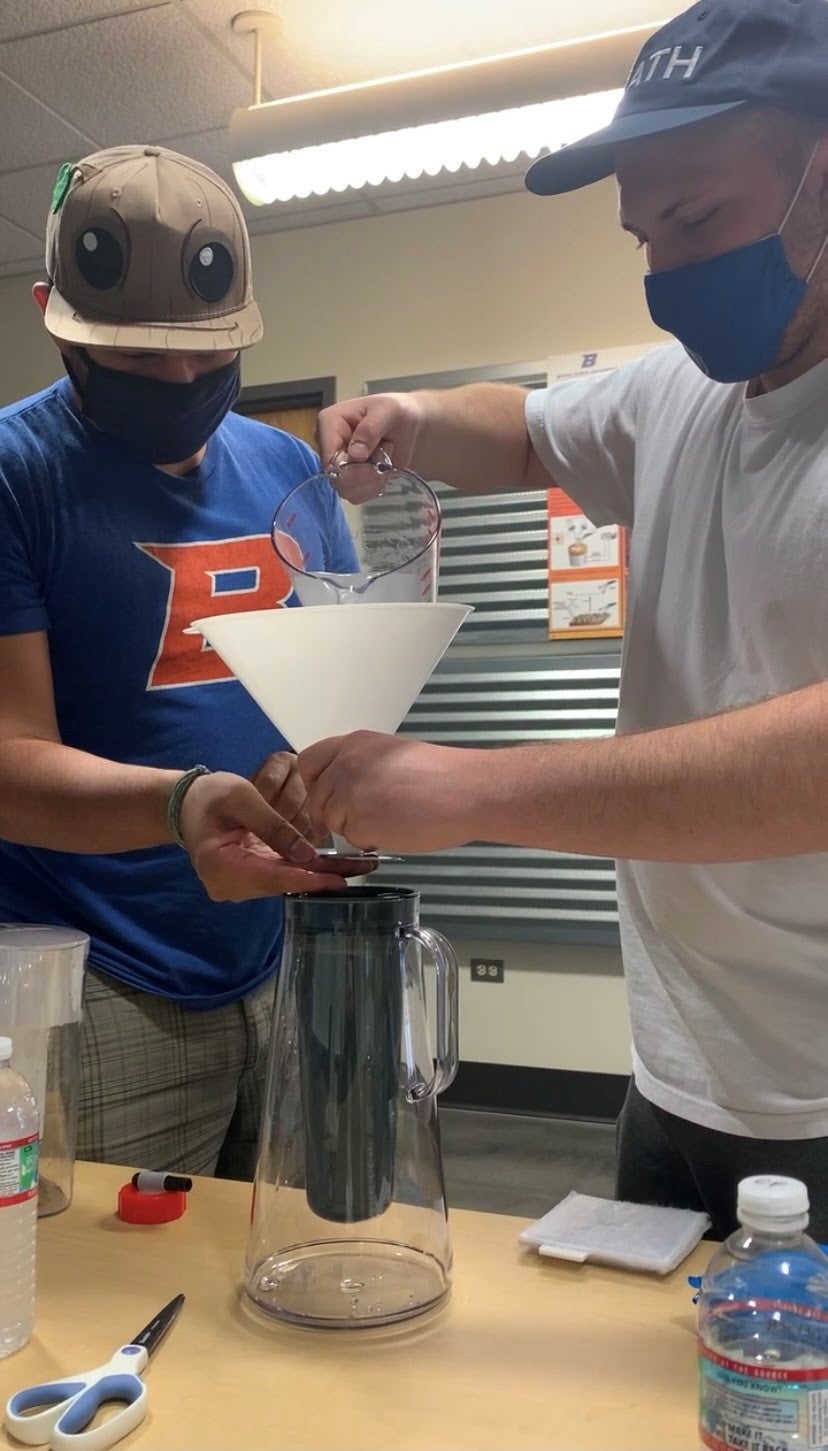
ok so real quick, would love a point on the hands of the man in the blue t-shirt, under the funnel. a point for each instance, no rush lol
(241, 848)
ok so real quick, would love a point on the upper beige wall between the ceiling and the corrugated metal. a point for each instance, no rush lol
(502, 281)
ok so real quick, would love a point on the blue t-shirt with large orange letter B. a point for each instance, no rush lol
(115, 559)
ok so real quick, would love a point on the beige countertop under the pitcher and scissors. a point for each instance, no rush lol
(529, 1353)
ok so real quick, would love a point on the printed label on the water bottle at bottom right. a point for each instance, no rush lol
(763, 1408)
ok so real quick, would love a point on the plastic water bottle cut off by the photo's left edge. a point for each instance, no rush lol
(20, 1146)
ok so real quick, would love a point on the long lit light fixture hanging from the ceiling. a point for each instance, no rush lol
(407, 127)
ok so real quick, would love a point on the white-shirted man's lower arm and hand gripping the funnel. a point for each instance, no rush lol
(734, 789)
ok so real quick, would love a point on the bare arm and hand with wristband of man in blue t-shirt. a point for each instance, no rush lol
(67, 800)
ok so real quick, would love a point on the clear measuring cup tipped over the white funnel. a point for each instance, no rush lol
(397, 539)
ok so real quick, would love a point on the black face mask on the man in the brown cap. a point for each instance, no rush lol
(160, 422)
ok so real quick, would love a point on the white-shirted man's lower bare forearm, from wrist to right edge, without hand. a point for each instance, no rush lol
(740, 787)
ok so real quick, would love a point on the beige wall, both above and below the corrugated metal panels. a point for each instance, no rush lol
(501, 281)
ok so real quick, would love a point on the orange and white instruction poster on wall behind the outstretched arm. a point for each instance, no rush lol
(588, 565)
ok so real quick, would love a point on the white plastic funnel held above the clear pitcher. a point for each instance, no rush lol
(321, 673)
